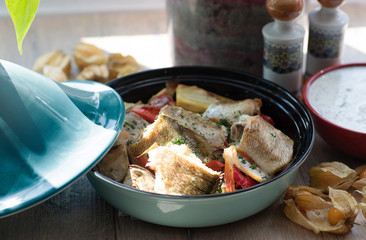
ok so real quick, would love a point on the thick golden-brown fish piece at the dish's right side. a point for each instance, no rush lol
(267, 146)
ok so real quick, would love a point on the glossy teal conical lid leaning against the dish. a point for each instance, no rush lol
(50, 134)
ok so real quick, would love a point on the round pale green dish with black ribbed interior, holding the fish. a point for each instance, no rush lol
(200, 211)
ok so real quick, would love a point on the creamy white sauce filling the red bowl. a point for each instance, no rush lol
(340, 97)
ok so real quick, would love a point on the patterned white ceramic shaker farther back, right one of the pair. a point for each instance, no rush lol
(327, 26)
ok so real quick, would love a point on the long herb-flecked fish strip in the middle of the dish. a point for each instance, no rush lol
(214, 133)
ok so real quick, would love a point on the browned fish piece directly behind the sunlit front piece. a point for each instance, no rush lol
(165, 130)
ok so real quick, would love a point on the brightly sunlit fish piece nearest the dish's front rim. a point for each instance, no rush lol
(179, 172)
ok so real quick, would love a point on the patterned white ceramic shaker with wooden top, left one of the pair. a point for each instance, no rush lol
(283, 44)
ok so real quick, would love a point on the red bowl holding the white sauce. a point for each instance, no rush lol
(351, 142)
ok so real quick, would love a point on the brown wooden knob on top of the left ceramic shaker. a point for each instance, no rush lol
(285, 10)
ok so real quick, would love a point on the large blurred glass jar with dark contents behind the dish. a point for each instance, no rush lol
(222, 33)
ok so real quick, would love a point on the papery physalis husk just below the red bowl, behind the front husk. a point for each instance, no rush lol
(333, 174)
